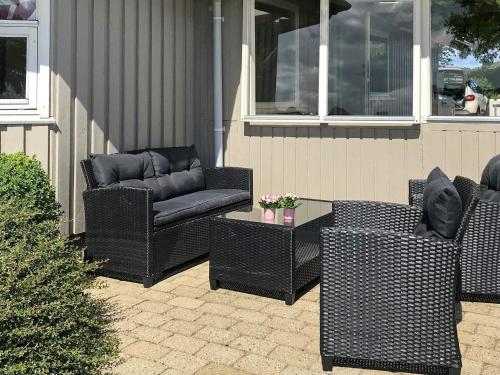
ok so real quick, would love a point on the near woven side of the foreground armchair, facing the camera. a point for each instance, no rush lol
(388, 296)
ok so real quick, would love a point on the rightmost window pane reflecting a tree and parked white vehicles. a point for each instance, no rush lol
(465, 58)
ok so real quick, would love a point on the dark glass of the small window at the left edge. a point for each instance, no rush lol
(12, 68)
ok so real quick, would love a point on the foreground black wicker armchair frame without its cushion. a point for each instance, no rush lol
(388, 296)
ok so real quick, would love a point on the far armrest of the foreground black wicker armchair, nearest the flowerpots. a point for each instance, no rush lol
(376, 215)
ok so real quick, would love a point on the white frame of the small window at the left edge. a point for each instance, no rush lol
(36, 107)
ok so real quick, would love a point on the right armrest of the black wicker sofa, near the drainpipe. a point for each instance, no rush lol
(229, 178)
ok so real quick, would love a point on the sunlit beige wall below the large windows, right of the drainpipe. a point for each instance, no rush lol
(343, 162)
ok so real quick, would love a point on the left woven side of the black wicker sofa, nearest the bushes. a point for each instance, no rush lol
(119, 227)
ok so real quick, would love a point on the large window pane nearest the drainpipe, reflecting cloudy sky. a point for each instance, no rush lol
(286, 57)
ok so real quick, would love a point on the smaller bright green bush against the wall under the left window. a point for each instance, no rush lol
(22, 178)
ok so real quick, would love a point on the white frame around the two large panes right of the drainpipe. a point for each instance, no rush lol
(248, 78)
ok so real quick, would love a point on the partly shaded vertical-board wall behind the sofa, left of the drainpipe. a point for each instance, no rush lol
(127, 74)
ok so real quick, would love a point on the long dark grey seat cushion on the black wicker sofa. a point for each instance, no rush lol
(193, 204)
